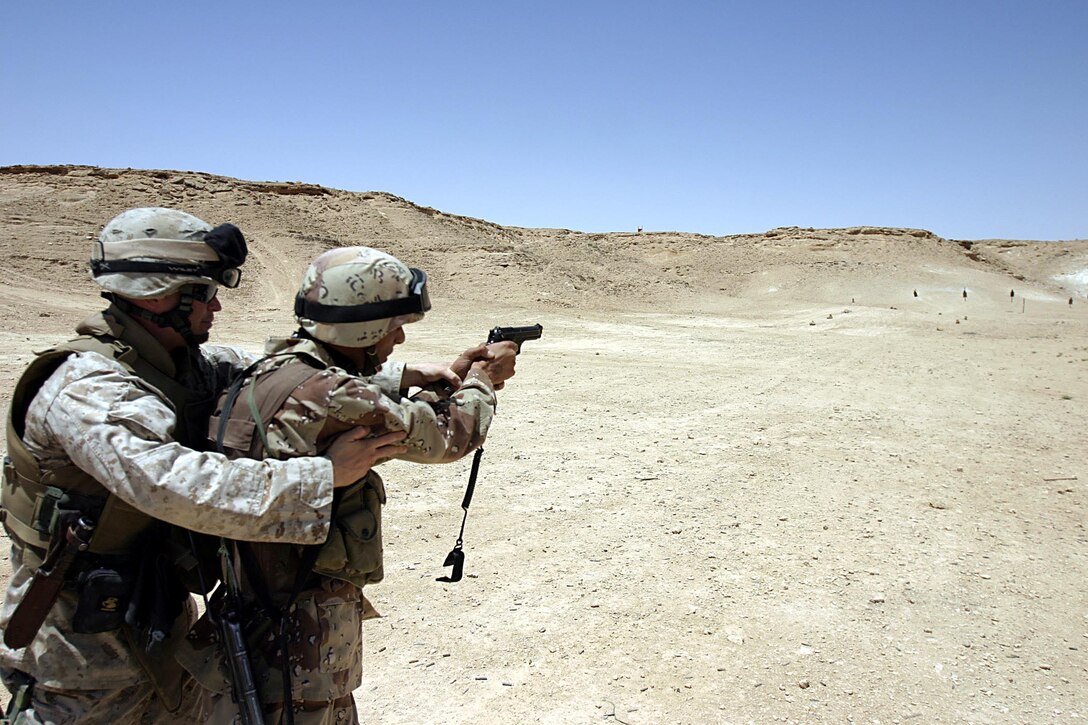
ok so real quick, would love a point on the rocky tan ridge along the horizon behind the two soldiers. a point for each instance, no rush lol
(52, 214)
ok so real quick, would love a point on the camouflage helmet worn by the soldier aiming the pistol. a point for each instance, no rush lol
(354, 297)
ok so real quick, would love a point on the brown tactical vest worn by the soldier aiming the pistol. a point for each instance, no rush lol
(354, 549)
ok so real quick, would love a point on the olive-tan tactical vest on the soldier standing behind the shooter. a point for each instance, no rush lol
(30, 495)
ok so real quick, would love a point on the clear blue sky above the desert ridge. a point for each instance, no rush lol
(967, 118)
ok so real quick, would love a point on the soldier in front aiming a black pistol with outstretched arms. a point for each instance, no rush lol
(305, 604)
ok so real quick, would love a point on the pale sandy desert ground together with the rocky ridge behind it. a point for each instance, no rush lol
(794, 476)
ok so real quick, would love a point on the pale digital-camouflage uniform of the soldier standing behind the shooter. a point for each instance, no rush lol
(95, 414)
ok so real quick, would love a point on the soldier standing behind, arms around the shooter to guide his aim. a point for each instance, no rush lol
(100, 427)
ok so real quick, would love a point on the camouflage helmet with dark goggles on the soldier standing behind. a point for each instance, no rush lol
(154, 252)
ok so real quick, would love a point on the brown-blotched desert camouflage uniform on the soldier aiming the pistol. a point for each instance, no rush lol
(326, 622)
